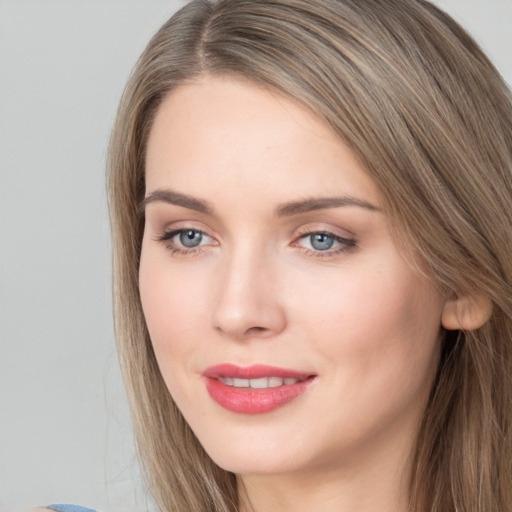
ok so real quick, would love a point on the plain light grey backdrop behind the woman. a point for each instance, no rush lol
(64, 427)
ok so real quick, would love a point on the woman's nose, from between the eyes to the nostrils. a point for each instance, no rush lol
(248, 300)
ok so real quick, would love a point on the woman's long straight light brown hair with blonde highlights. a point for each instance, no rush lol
(431, 120)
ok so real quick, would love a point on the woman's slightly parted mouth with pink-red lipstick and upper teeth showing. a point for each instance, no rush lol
(254, 389)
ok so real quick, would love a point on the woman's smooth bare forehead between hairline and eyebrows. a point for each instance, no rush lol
(219, 133)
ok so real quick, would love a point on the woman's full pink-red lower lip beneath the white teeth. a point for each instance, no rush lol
(254, 401)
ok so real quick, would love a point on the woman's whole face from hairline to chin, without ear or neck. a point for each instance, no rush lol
(289, 330)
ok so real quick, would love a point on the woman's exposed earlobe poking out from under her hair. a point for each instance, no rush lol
(467, 312)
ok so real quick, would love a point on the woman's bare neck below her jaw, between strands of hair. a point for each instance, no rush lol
(366, 482)
